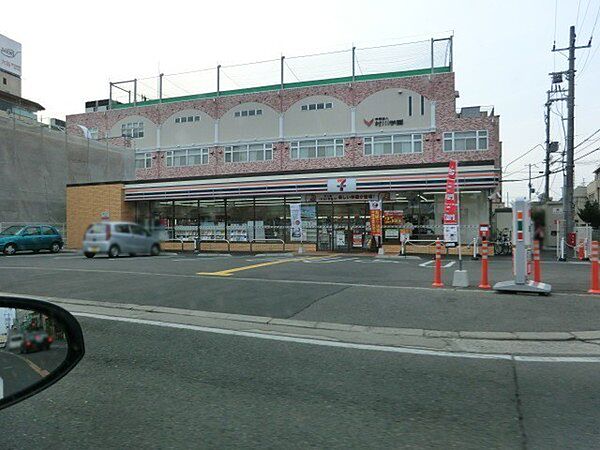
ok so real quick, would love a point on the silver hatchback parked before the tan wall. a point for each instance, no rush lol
(115, 238)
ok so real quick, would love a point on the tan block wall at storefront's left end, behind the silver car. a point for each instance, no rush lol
(87, 203)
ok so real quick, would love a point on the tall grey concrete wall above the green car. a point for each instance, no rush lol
(37, 163)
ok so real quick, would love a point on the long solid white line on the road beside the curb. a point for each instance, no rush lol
(348, 345)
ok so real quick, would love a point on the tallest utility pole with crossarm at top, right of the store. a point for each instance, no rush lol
(568, 215)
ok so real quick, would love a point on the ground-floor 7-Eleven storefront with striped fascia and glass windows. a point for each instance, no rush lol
(333, 206)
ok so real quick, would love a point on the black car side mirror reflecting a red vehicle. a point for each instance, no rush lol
(39, 344)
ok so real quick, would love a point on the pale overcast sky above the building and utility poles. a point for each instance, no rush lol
(502, 53)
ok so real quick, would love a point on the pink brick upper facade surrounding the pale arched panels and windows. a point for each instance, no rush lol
(439, 88)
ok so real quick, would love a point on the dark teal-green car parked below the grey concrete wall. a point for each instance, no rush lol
(30, 237)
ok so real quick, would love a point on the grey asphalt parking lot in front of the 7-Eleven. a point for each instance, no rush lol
(334, 288)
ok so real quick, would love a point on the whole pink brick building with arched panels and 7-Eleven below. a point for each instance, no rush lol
(227, 165)
